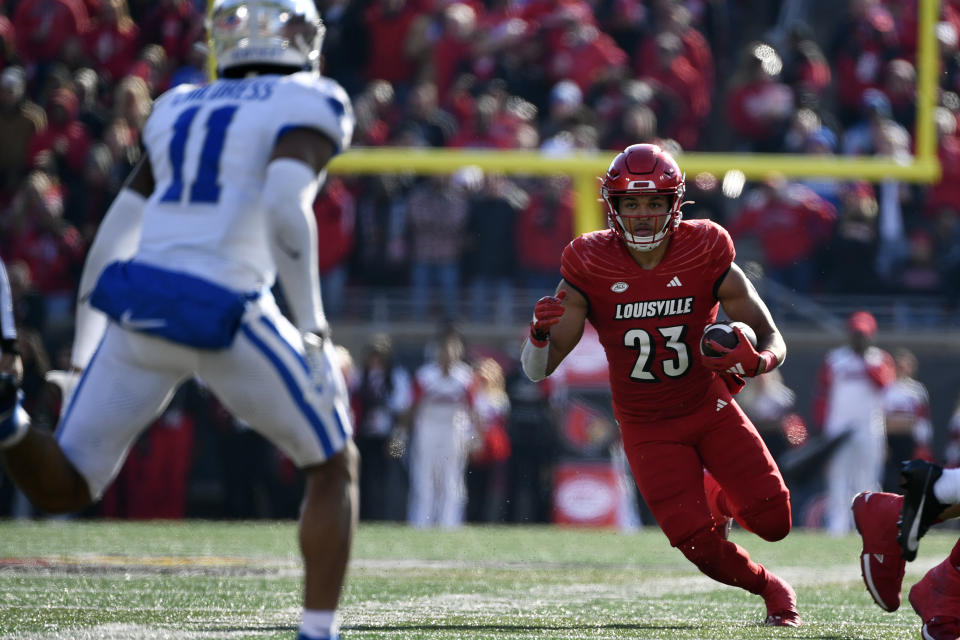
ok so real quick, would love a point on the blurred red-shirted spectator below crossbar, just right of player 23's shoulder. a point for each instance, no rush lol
(791, 223)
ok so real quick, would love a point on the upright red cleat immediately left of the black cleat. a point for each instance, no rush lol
(881, 562)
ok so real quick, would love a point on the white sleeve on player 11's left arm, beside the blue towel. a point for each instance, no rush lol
(117, 238)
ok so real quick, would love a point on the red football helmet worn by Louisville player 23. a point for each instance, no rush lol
(640, 170)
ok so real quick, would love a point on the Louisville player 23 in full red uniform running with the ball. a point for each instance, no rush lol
(650, 284)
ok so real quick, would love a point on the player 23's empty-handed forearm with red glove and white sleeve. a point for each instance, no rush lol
(555, 330)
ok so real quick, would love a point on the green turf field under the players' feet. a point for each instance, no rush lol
(90, 580)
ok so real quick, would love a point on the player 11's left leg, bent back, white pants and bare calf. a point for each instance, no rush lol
(125, 385)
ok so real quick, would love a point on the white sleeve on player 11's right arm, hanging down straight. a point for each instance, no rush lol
(288, 194)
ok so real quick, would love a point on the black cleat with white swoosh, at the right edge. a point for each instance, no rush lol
(920, 506)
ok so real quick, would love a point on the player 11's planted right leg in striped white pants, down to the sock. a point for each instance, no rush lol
(265, 380)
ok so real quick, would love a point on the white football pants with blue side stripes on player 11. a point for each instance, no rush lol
(262, 379)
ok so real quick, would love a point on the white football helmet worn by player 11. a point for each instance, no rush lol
(282, 33)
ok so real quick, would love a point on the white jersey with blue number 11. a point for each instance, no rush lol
(209, 148)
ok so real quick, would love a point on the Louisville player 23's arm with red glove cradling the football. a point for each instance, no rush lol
(742, 303)
